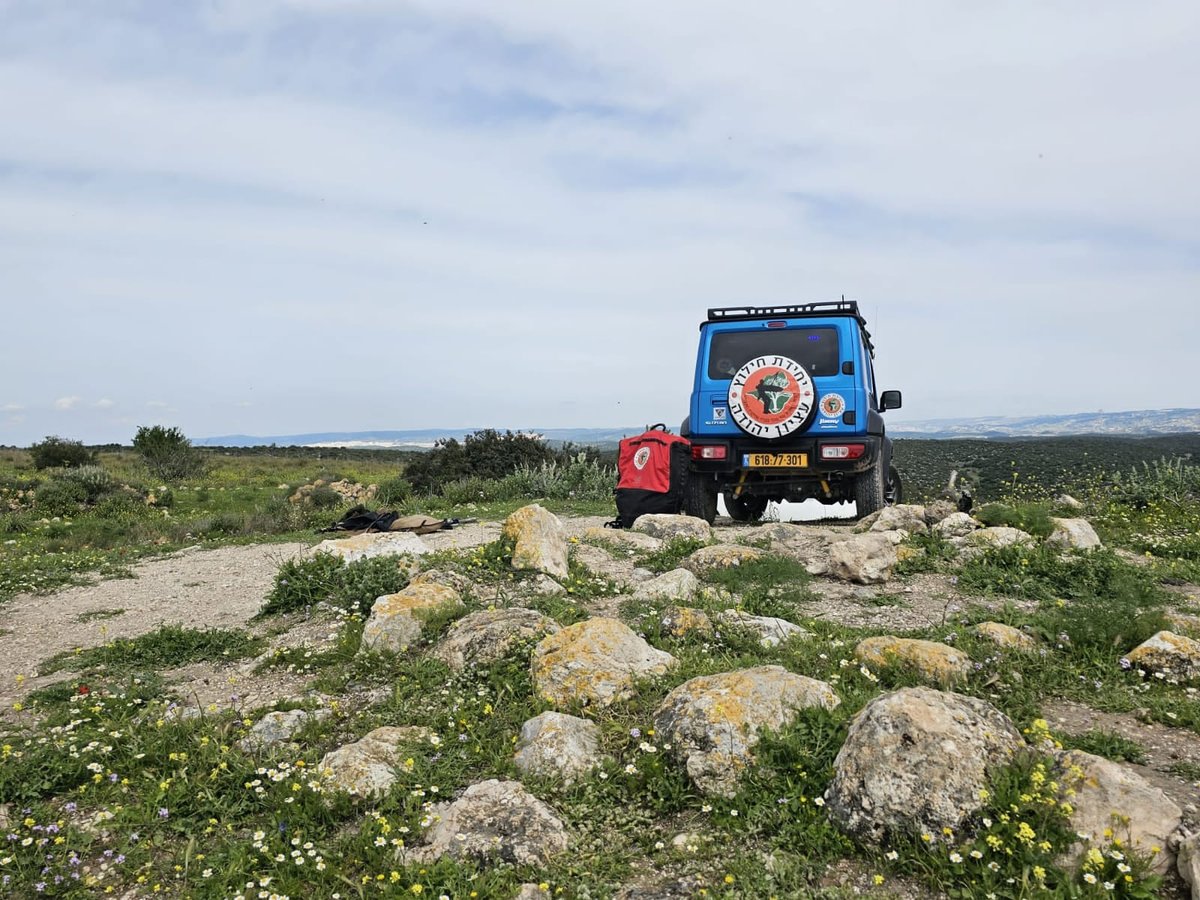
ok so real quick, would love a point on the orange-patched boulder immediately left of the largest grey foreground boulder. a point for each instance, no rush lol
(713, 722)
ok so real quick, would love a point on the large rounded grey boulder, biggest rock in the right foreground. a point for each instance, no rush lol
(916, 761)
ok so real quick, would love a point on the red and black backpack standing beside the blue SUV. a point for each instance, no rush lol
(652, 471)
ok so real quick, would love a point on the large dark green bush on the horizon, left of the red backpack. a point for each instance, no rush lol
(484, 454)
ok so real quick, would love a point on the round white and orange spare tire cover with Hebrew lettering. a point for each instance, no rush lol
(771, 397)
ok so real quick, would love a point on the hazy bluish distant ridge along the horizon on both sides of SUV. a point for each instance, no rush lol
(1145, 423)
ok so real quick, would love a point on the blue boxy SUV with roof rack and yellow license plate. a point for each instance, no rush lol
(784, 407)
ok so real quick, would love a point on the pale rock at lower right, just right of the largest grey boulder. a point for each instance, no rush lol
(1112, 796)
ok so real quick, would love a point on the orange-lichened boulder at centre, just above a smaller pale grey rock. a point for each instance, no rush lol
(595, 663)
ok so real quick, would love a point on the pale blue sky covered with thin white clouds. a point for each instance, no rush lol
(275, 217)
